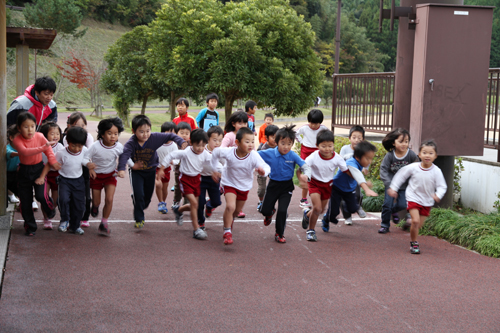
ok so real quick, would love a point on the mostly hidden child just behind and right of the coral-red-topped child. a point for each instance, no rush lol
(52, 132)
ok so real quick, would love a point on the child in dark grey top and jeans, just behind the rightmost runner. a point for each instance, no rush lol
(399, 155)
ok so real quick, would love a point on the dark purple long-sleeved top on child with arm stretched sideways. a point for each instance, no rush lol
(147, 152)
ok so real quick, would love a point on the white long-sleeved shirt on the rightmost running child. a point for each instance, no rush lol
(422, 185)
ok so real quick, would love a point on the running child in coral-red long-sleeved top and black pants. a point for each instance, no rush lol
(30, 145)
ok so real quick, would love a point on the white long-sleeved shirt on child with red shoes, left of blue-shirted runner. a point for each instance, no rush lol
(238, 171)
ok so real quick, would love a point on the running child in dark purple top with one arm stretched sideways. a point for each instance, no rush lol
(141, 147)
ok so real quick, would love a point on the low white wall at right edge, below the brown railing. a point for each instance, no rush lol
(480, 184)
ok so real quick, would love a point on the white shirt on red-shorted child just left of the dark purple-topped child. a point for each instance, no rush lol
(105, 158)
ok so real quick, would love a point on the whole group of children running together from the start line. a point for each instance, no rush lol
(211, 161)
